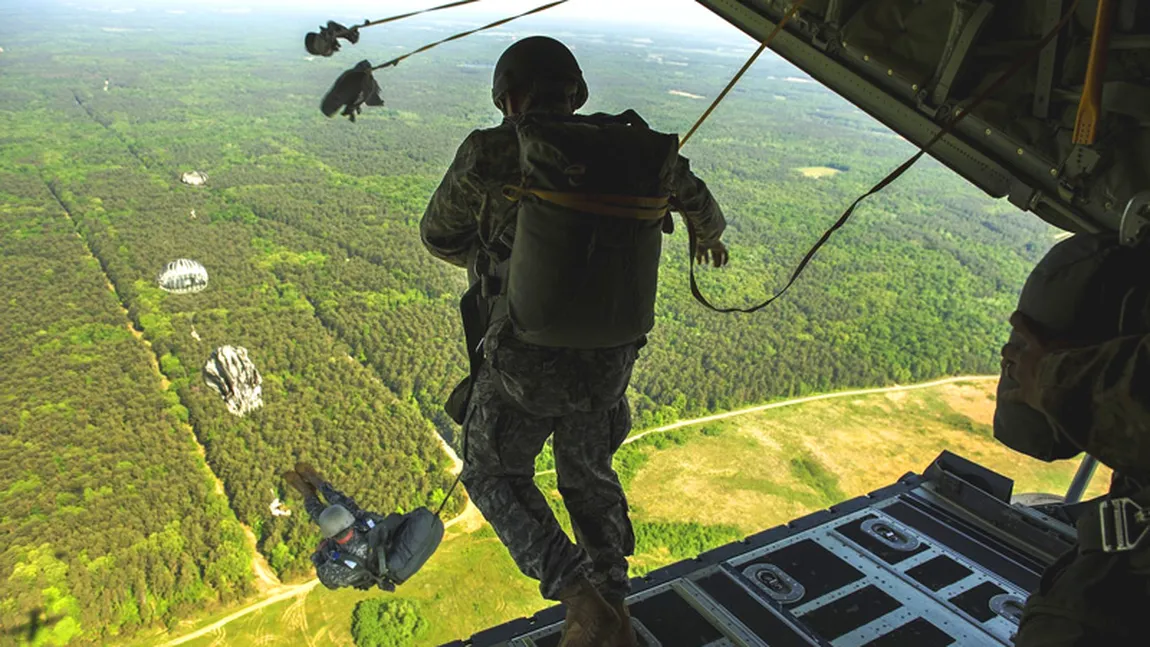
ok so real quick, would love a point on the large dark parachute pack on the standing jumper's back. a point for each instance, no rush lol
(595, 195)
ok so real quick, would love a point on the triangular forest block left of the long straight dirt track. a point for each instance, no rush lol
(111, 520)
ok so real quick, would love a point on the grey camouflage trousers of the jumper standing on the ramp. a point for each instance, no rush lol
(524, 396)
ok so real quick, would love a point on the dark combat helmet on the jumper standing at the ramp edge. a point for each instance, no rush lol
(535, 64)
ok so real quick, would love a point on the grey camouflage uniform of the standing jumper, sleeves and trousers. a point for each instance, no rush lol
(525, 394)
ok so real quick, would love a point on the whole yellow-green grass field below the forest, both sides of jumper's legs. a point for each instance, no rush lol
(692, 489)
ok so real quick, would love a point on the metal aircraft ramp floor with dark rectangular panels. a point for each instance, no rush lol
(934, 560)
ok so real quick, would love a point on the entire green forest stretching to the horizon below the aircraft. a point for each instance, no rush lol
(113, 521)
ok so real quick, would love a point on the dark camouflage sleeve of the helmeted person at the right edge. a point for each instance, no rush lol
(1101, 397)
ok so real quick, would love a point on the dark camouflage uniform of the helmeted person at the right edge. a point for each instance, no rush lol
(1100, 397)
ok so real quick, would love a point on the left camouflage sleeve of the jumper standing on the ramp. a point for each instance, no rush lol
(450, 226)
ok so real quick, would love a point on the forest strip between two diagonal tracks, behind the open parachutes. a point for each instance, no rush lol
(320, 404)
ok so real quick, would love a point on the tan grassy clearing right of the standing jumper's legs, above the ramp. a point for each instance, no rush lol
(765, 469)
